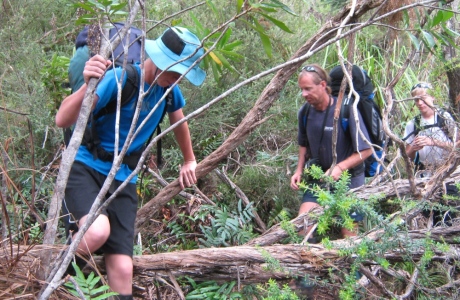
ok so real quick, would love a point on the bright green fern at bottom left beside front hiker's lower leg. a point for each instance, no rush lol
(88, 286)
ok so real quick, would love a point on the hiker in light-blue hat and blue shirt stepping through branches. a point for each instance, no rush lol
(175, 53)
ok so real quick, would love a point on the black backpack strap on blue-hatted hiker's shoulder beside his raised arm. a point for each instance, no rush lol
(130, 88)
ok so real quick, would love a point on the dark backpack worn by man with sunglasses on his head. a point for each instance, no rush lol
(369, 109)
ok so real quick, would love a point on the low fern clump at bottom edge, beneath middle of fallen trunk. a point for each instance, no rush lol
(212, 290)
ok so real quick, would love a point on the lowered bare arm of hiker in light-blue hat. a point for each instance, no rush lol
(187, 175)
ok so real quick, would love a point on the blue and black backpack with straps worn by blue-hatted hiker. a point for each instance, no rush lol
(130, 89)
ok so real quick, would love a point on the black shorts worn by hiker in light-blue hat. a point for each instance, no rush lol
(82, 189)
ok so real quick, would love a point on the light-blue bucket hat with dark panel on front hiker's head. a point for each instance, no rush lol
(175, 44)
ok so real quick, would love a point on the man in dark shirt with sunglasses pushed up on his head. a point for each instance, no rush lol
(314, 137)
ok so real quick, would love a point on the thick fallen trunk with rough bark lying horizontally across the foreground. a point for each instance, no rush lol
(249, 264)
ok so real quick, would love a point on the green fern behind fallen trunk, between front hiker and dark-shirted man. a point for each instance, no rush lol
(227, 228)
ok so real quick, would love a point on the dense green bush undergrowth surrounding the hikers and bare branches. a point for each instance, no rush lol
(401, 239)
